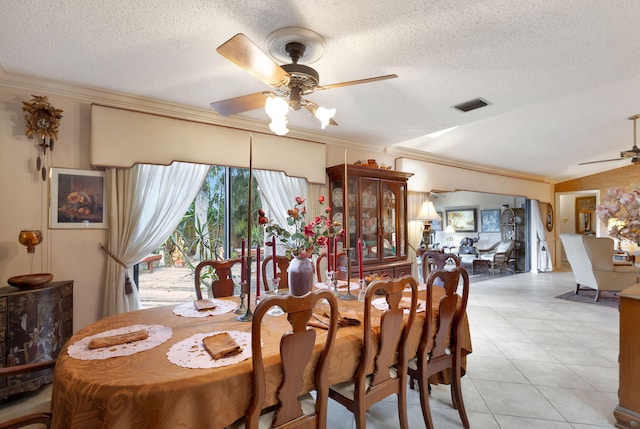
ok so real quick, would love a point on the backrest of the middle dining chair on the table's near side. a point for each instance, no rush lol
(391, 344)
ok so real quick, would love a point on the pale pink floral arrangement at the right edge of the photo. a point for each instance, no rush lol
(621, 211)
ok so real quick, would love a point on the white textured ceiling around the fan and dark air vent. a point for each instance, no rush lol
(561, 76)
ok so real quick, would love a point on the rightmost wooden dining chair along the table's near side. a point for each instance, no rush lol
(439, 347)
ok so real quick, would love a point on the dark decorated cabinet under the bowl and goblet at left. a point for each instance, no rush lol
(34, 325)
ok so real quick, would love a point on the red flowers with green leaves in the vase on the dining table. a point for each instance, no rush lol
(307, 238)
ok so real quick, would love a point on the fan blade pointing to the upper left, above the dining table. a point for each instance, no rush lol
(244, 53)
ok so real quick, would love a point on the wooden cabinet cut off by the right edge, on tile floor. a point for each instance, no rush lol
(627, 413)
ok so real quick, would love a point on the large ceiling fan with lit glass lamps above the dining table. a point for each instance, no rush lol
(291, 82)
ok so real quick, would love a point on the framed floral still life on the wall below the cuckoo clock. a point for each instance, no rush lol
(77, 199)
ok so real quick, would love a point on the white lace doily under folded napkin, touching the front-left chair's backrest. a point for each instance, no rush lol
(190, 353)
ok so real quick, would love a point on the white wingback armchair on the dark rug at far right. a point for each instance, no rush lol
(591, 260)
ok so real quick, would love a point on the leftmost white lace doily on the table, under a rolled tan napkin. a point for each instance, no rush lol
(158, 334)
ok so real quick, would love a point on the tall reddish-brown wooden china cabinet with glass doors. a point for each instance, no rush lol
(376, 213)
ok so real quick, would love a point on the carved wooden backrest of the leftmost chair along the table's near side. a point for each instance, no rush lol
(296, 349)
